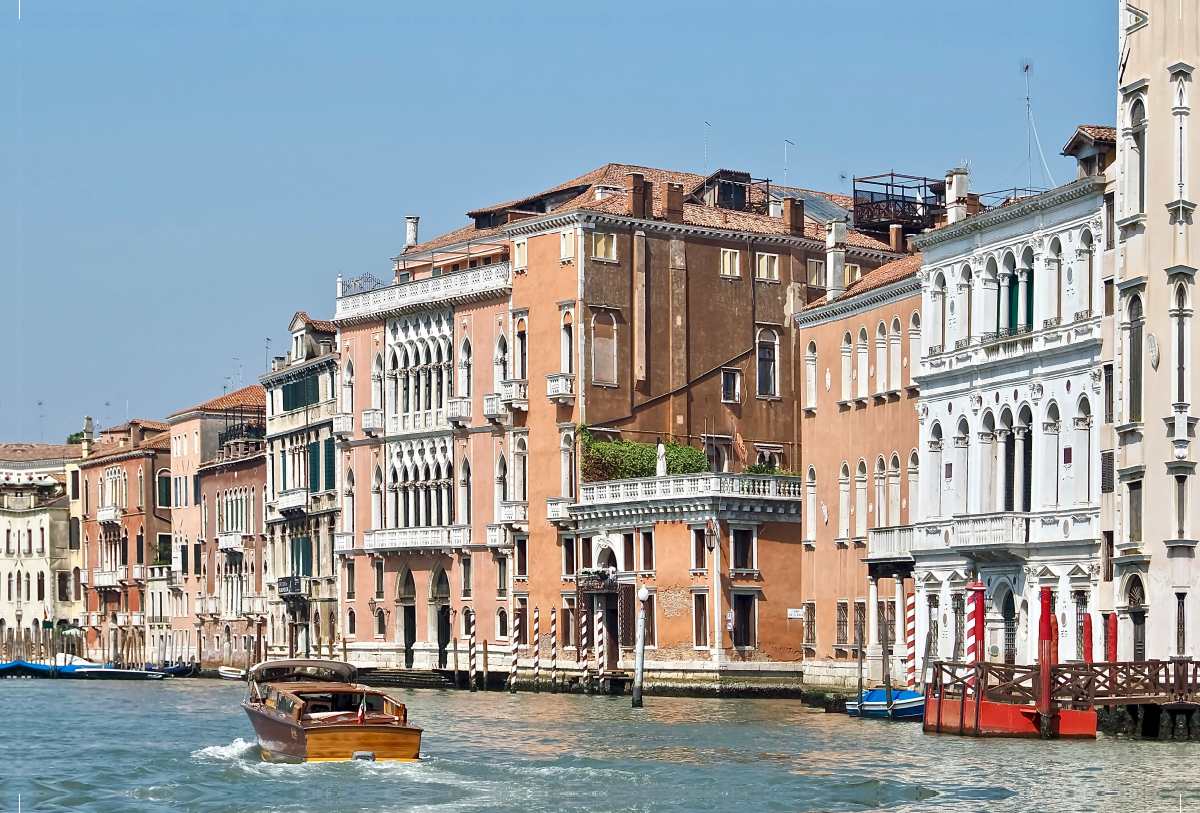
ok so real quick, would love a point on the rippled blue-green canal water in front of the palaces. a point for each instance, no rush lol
(185, 745)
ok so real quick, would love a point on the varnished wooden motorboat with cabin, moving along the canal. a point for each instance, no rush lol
(311, 710)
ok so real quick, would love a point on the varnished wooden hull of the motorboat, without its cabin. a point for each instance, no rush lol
(283, 740)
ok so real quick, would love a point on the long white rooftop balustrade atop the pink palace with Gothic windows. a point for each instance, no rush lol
(470, 286)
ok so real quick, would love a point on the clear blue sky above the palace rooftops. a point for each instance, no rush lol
(178, 179)
